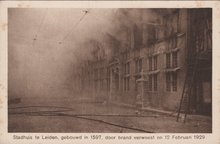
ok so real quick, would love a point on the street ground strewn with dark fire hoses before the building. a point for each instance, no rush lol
(69, 115)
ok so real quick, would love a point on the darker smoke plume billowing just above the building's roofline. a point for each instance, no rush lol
(116, 32)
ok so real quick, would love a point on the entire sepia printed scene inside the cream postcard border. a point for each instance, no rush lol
(110, 70)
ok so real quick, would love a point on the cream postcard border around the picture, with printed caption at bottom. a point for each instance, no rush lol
(6, 138)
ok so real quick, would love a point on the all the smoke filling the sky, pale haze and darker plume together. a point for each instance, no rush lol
(46, 45)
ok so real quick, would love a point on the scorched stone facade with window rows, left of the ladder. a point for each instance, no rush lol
(154, 48)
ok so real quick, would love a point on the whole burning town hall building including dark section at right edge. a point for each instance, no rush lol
(153, 63)
